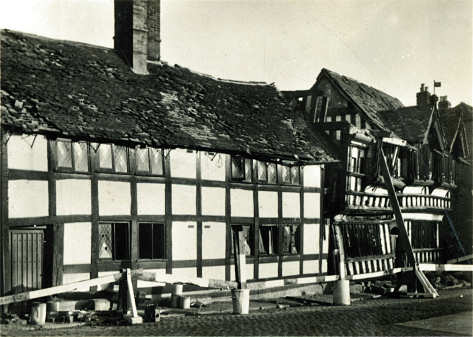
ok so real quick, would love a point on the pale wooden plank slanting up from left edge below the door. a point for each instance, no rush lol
(29, 295)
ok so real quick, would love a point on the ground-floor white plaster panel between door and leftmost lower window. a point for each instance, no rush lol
(77, 242)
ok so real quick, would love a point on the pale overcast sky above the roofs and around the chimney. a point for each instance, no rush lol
(393, 45)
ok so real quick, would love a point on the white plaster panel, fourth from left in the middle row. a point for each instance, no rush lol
(150, 198)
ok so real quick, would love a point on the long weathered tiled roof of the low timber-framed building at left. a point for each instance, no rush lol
(86, 92)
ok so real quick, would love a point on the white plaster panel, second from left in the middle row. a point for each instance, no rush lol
(73, 196)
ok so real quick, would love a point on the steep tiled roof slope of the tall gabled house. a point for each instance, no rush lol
(368, 99)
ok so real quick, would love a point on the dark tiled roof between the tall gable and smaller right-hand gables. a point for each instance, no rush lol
(410, 123)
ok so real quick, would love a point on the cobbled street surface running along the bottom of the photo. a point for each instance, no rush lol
(448, 315)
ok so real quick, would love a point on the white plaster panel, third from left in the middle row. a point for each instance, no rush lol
(114, 198)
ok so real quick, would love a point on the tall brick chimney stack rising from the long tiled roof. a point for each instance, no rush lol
(137, 32)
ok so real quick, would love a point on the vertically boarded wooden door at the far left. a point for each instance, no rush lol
(26, 252)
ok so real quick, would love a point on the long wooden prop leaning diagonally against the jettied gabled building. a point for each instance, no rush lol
(402, 228)
